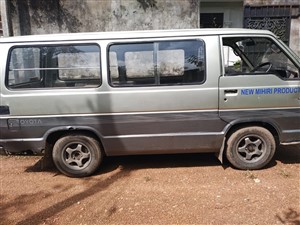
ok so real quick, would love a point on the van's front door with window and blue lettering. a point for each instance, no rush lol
(260, 86)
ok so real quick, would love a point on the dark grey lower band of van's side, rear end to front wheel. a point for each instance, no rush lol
(122, 134)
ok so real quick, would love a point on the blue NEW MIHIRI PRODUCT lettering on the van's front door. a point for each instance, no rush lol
(268, 91)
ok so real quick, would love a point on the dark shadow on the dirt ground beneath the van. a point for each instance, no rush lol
(284, 154)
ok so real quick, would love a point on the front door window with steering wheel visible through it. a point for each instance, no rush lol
(256, 55)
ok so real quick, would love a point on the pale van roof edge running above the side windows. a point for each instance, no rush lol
(130, 34)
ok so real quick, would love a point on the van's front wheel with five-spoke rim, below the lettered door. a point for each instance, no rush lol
(250, 148)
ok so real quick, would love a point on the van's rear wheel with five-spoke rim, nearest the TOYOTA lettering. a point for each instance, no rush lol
(77, 155)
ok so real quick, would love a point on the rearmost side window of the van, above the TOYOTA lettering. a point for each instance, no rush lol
(54, 66)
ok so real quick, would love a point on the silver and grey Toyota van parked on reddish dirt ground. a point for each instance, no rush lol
(235, 92)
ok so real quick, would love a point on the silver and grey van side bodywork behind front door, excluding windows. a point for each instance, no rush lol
(128, 120)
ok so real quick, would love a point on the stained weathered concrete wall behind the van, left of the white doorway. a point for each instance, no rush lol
(57, 16)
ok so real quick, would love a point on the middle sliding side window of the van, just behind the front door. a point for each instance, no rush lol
(157, 63)
